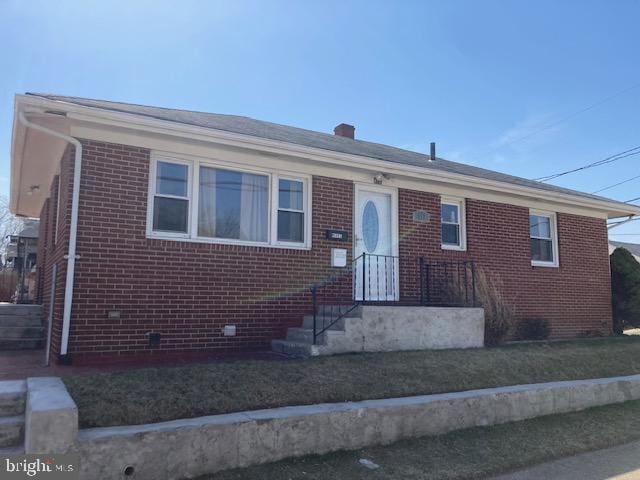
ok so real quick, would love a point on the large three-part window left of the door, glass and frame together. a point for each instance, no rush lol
(229, 205)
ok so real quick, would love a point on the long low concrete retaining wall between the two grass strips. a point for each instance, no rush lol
(192, 447)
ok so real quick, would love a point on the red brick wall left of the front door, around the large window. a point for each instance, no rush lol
(185, 291)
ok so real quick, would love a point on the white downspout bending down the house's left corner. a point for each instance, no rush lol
(71, 257)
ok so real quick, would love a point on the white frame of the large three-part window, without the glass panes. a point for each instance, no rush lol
(194, 164)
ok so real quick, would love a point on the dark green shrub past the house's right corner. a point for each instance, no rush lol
(625, 289)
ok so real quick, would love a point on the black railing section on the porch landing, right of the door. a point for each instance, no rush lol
(448, 283)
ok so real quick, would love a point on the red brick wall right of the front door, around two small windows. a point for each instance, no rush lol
(575, 297)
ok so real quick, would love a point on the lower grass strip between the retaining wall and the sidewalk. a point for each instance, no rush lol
(465, 454)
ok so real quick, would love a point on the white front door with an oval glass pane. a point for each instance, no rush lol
(375, 244)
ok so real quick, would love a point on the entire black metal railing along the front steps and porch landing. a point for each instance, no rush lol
(376, 279)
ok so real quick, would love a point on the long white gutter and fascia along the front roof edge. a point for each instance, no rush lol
(132, 121)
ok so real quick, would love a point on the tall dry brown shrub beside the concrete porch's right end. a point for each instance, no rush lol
(498, 313)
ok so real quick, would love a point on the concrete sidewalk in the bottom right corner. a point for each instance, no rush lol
(619, 463)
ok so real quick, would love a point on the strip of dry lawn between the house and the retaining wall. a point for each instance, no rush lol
(156, 394)
